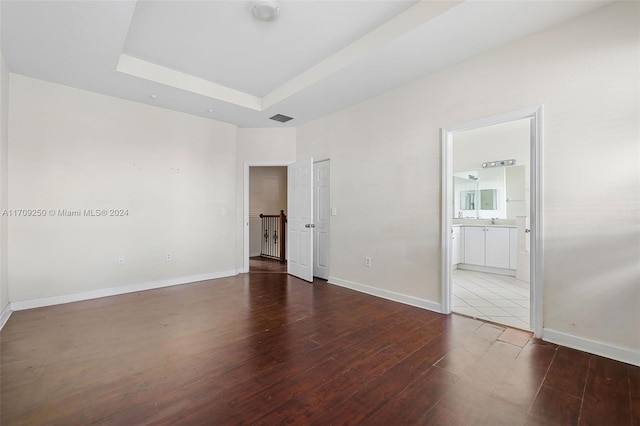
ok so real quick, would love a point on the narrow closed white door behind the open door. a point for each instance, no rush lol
(321, 213)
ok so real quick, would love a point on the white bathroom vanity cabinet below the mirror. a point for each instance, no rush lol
(487, 246)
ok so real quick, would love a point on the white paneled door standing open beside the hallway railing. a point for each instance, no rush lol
(300, 219)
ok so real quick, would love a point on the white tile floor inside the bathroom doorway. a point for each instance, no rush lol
(498, 298)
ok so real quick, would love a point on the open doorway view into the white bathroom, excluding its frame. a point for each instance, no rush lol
(490, 191)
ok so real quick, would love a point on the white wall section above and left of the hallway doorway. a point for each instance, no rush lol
(259, 146)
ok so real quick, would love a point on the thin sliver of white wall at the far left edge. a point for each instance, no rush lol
(4, 183)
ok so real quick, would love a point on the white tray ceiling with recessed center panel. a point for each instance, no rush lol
(215, 60)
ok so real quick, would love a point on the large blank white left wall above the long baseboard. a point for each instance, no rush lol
(72, 149)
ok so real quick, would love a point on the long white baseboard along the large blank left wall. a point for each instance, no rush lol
(114, 291)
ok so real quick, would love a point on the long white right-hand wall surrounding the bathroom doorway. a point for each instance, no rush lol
(385, 171)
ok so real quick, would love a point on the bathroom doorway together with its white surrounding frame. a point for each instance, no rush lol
(491, 204)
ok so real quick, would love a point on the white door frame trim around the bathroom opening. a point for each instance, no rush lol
(535, 113)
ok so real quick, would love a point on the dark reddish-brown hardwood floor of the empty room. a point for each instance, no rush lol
(266, 349)
